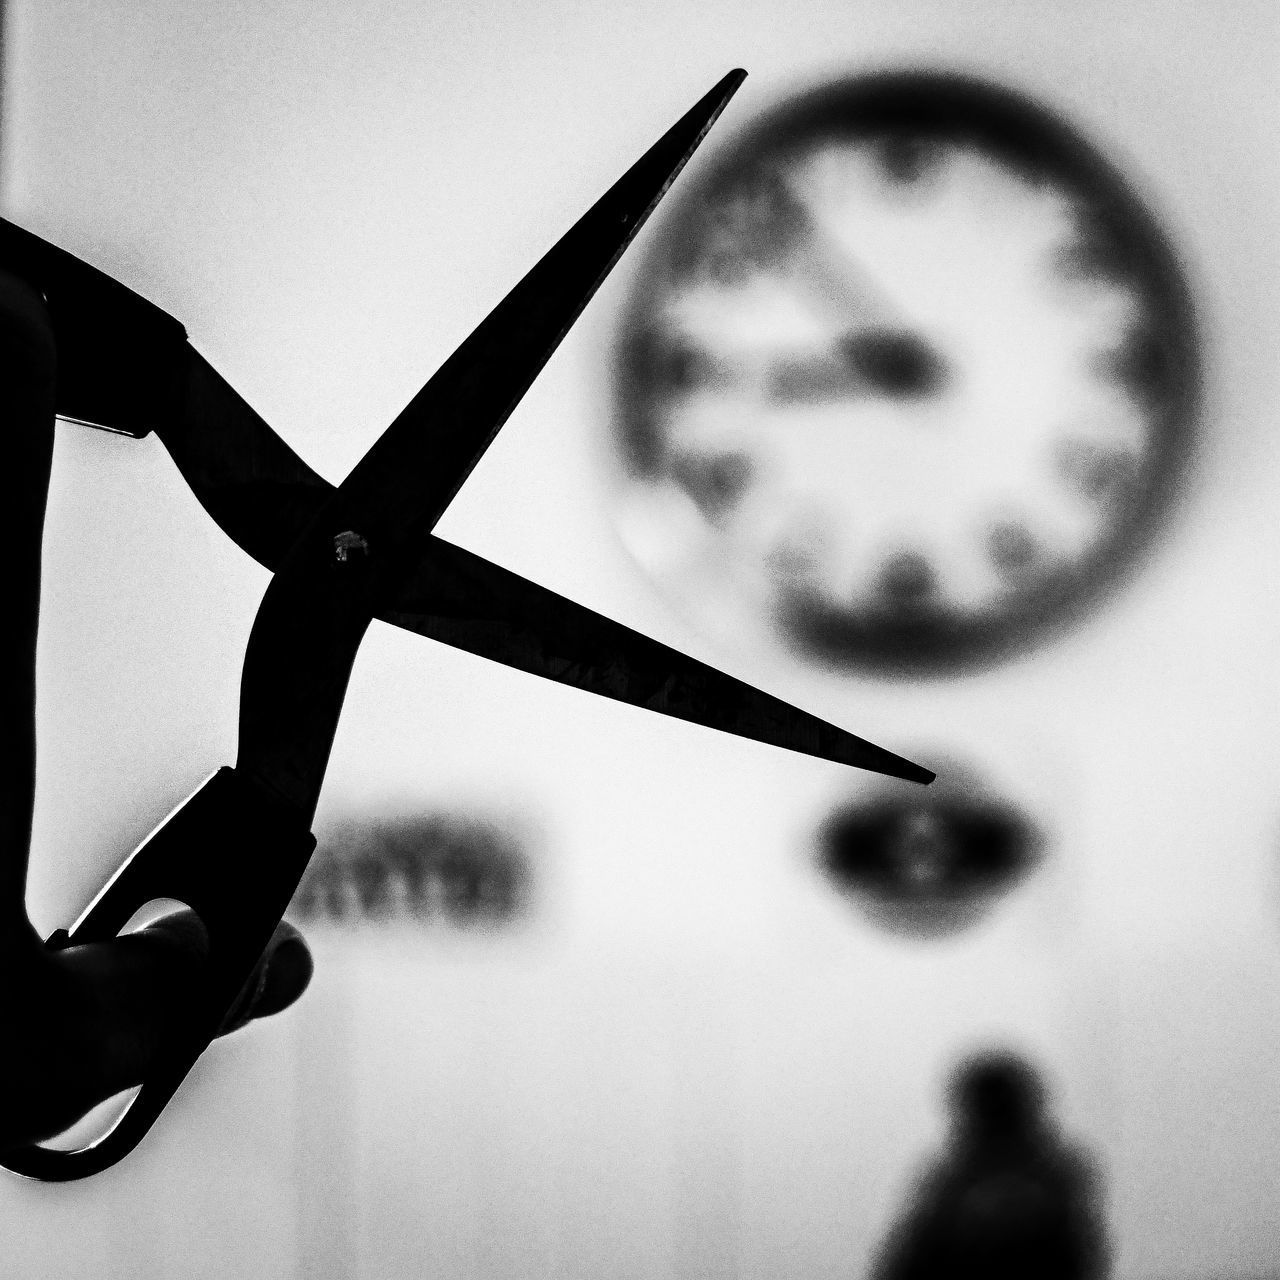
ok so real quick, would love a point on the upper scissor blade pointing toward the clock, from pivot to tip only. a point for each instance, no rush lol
(409, 478)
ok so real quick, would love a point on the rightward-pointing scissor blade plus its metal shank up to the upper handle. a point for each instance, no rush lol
(263, 496)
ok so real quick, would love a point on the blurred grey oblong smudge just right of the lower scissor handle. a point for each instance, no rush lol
(463, 871)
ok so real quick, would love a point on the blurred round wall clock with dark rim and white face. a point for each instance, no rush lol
(909, 376)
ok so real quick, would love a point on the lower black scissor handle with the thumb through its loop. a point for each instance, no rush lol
(235, 856)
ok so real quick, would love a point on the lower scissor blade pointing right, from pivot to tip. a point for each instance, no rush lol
(474, 605)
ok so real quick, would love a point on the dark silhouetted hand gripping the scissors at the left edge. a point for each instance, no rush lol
(84, 1023)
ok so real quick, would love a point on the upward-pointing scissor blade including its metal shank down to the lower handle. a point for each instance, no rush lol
(318, 606)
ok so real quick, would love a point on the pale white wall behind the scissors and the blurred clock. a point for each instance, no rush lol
(696, 1062)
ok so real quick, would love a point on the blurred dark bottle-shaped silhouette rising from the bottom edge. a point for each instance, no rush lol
(1009, 1197)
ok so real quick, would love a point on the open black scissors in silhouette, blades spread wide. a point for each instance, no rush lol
(236, 851)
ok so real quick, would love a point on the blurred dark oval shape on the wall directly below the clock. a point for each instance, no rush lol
(931, 862)
